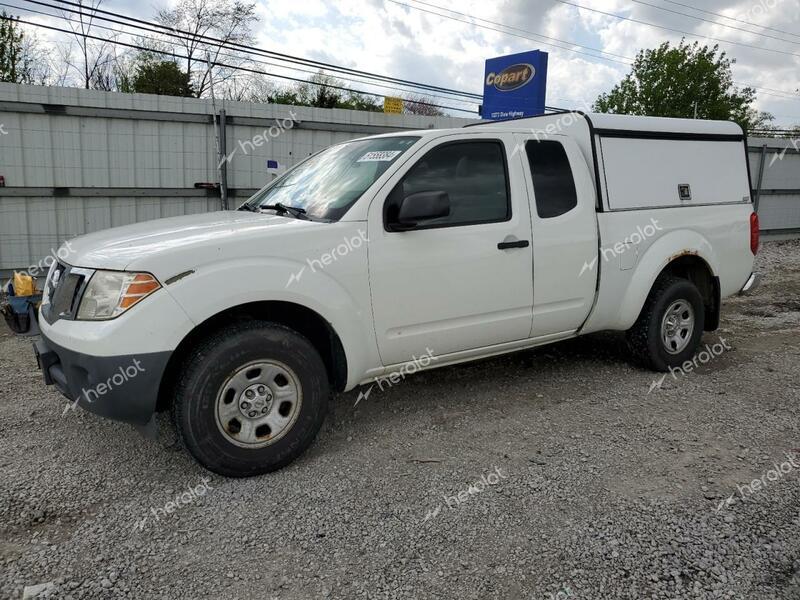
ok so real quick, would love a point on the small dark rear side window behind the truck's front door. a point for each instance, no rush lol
(553, 183)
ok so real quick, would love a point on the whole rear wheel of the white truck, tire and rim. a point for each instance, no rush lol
(668, 330)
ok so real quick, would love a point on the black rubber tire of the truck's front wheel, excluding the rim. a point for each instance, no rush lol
(211, 366)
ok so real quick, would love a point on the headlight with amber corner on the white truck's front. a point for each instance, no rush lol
(111, 293)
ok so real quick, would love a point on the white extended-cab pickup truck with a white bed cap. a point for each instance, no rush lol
(453, 244)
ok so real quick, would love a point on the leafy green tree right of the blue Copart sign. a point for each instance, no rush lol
(684, 81)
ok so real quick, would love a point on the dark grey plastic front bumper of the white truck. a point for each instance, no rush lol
(122, 388)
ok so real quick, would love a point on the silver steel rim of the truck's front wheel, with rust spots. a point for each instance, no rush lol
(258, 404)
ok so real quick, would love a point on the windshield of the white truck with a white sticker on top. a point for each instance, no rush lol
(326, 185)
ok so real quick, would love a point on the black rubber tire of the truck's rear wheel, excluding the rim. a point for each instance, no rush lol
(644, 338)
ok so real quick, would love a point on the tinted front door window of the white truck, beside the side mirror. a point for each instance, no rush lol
(472, 174)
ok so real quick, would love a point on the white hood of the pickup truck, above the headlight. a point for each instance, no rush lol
(144, 243)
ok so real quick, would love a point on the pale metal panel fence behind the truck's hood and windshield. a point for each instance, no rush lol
(77, 161)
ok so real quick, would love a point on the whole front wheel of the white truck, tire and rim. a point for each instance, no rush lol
(251, 399)
